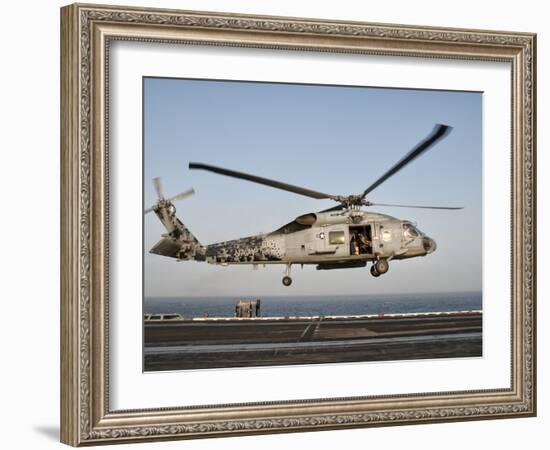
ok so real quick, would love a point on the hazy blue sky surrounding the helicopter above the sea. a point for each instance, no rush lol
(333, 139)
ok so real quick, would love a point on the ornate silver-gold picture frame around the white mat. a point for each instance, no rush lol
(87, 32)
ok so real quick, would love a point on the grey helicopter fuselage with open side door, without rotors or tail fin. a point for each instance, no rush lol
(329, 239)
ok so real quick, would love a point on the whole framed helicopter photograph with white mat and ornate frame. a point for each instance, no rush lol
(275, 224)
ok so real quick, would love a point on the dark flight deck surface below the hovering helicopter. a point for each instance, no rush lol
(216, 342)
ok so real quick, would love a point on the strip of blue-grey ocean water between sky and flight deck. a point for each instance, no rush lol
(334, 305)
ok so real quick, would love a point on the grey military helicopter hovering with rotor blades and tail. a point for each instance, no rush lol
(341, 237)
